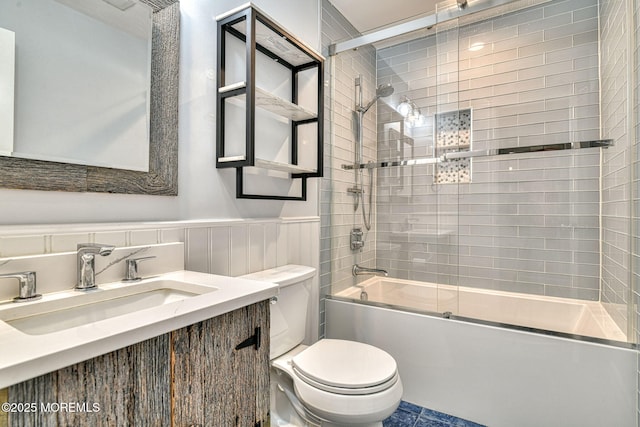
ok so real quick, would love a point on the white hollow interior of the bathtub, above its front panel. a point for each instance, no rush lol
(578, 317)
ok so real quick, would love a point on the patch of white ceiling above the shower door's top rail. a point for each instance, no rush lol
(367, 15)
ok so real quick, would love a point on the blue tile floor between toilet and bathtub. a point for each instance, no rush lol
(410, 415)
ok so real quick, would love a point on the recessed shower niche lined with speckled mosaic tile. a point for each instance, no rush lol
(452, 134)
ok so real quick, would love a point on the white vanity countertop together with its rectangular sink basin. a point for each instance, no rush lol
(67, 327)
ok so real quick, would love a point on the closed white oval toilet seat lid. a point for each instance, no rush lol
(346, 366)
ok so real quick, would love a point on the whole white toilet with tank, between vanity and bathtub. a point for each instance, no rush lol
(329, 383)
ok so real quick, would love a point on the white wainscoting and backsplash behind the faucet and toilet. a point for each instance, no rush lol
(230, 248)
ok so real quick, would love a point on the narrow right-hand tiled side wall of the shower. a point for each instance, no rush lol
(616, 166)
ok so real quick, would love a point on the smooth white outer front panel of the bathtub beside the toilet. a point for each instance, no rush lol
(496, 376)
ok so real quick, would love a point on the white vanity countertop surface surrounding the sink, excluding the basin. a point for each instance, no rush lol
(24, 356)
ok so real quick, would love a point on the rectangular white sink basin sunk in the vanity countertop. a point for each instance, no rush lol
(75, 308)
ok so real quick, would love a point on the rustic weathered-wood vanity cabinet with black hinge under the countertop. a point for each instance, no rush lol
(212, 373)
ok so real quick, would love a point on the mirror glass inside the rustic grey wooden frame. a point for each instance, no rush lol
(82, 81)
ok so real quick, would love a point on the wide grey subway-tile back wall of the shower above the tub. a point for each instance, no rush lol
(527, 222)
